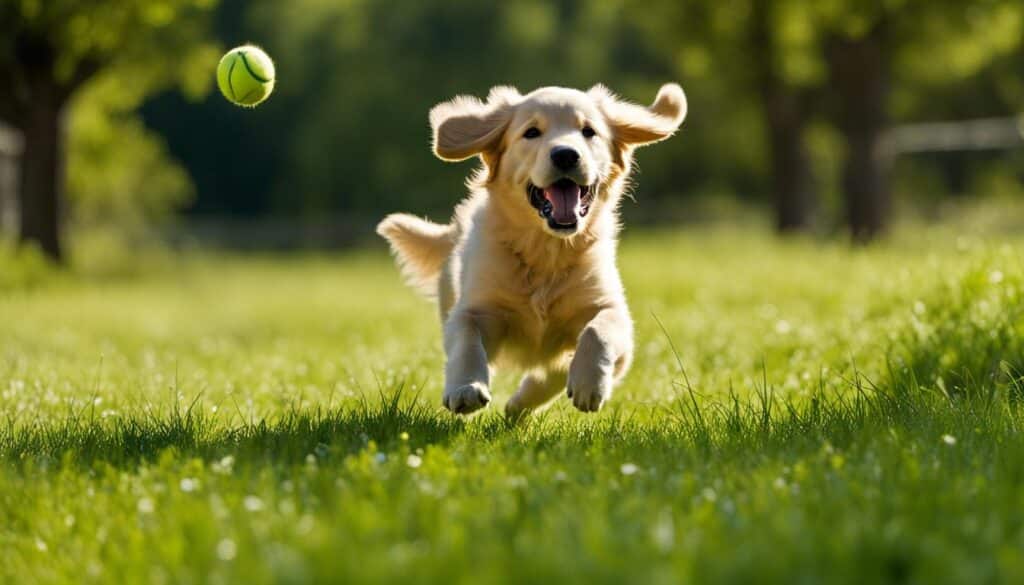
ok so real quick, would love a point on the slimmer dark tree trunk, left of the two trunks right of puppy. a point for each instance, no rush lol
(793, 189)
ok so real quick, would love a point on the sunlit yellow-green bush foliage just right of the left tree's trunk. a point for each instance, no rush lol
(123, 185)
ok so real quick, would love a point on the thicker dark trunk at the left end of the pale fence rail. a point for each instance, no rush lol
(860, 76)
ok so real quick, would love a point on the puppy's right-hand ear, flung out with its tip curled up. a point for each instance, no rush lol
(635, 126)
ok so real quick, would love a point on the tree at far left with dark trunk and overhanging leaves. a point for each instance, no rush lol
(49, 51)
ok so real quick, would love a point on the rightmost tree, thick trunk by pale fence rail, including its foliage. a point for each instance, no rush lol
(926, 46)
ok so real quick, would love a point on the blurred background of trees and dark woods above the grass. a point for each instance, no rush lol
(834, 118)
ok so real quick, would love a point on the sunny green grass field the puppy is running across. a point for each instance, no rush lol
(809, 414)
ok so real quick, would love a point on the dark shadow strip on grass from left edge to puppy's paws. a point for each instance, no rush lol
(127, 441)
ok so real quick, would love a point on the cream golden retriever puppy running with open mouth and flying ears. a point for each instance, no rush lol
(526, 271)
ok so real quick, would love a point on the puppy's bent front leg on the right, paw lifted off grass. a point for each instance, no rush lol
(604, 353)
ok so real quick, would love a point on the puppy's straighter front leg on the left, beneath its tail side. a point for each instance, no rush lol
(468, 338)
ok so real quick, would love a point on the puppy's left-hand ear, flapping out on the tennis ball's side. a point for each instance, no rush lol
(465, 127)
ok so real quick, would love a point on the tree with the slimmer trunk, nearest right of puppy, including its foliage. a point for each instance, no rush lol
(746, 52)
